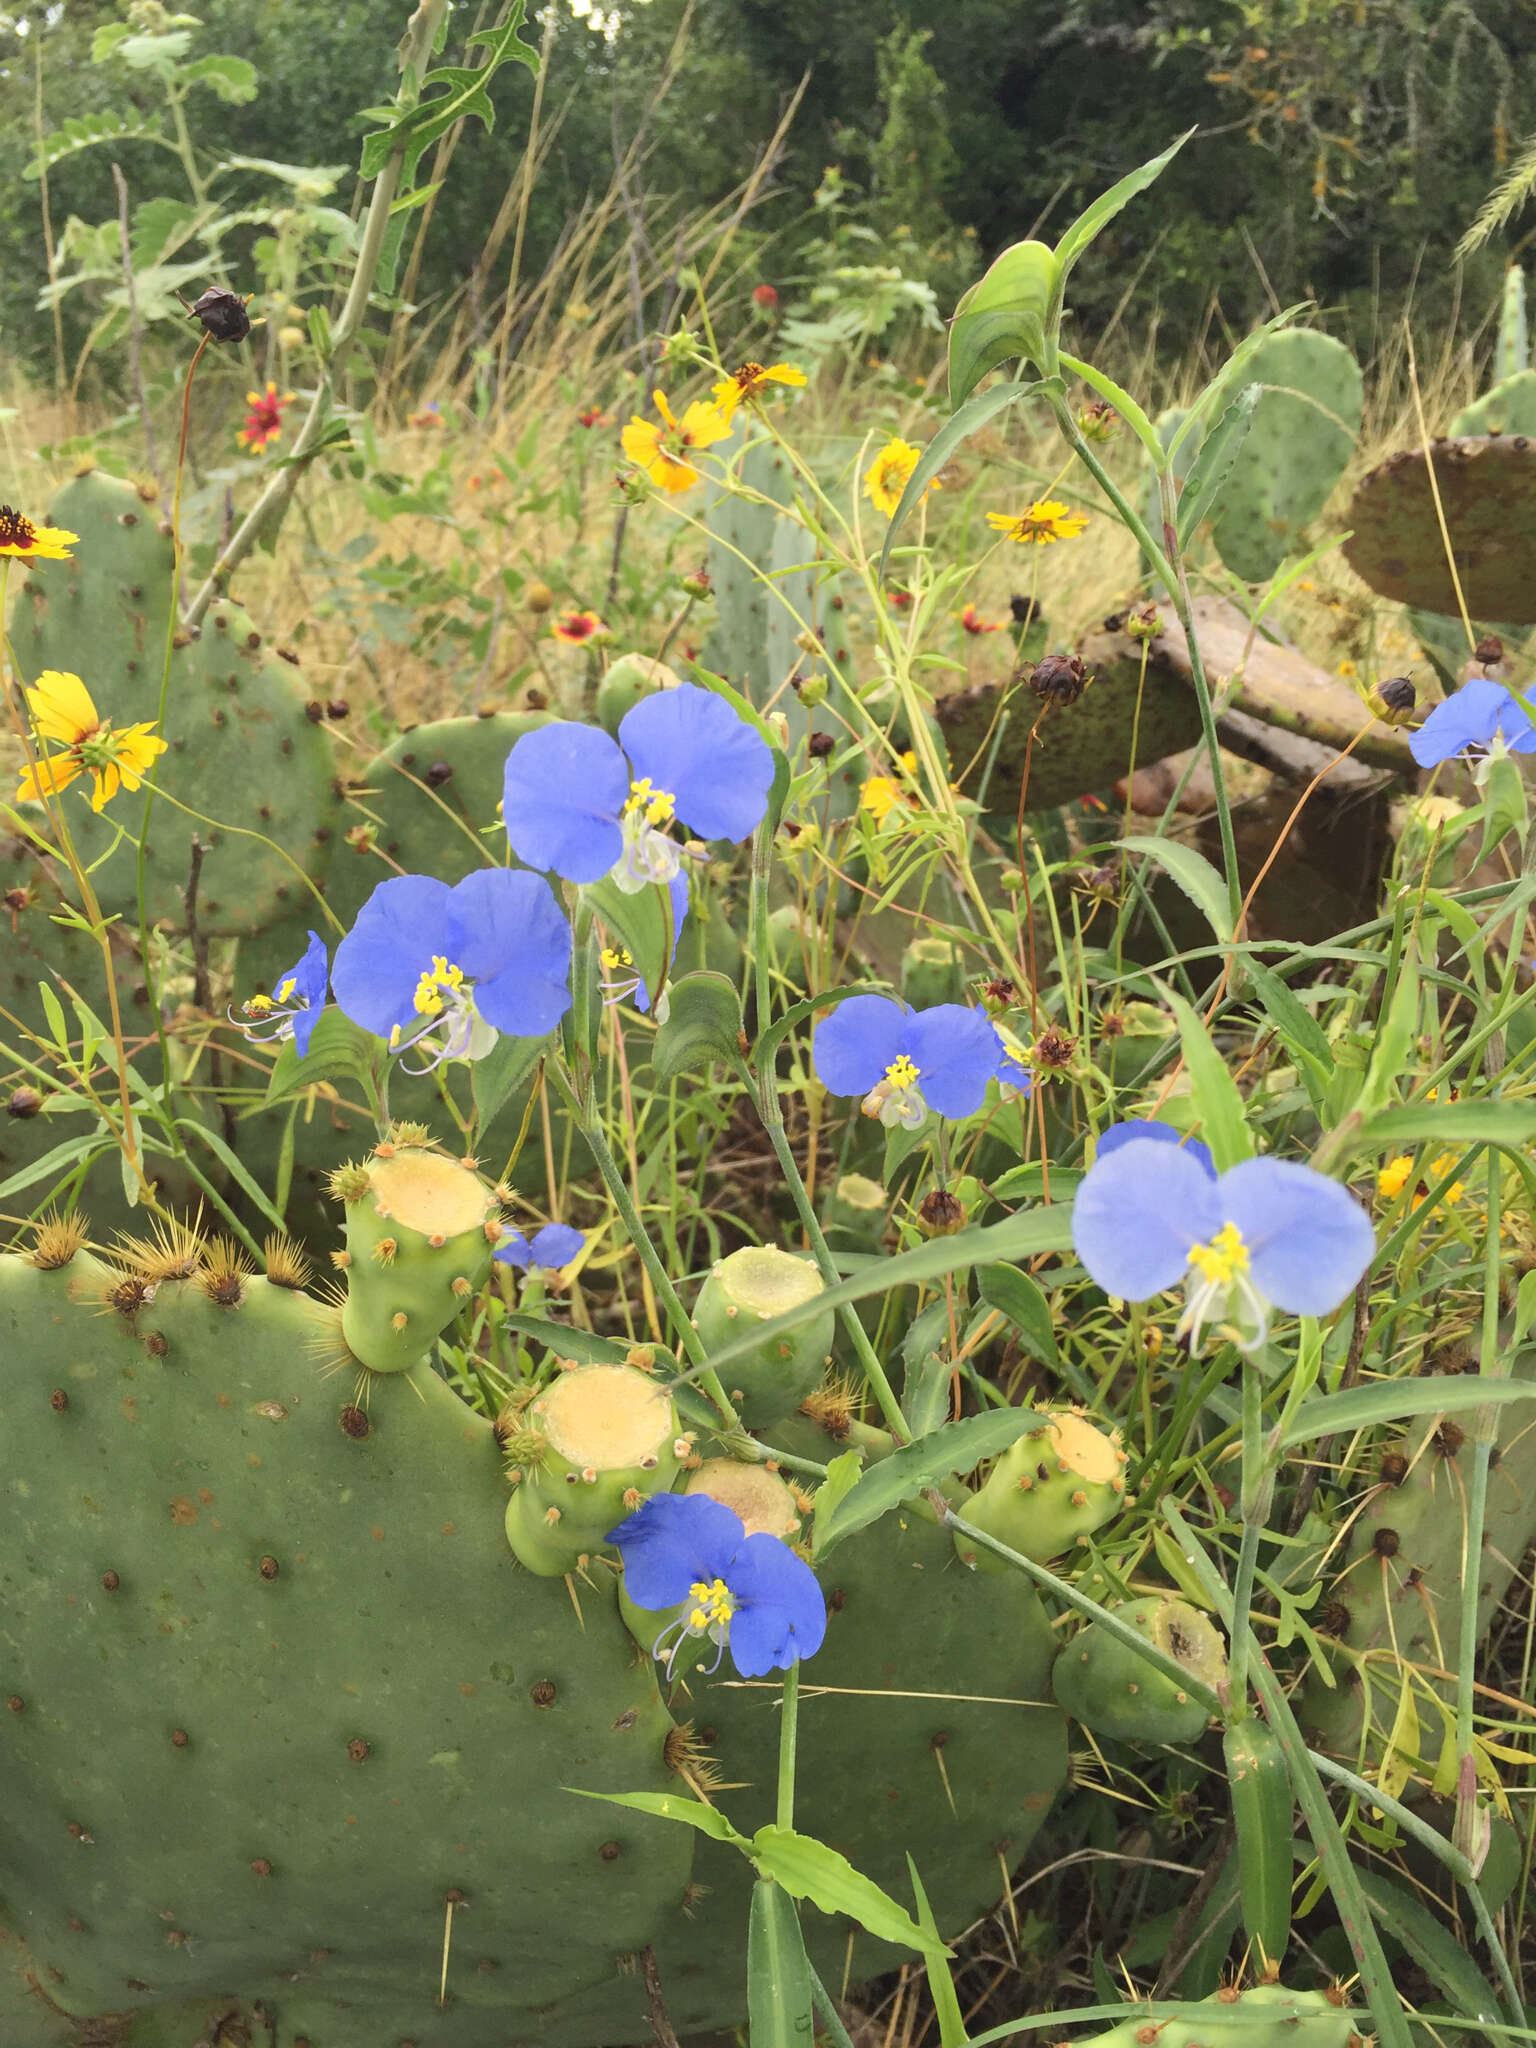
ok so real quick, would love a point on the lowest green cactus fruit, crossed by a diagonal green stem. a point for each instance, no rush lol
(1101, 1680)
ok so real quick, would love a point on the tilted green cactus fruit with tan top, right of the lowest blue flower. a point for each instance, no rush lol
(1048, 1492)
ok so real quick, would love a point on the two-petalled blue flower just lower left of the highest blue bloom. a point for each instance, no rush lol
(450, 970)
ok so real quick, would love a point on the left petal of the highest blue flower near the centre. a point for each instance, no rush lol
(562, 796)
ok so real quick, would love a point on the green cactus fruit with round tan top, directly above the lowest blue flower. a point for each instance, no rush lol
(583, 1453)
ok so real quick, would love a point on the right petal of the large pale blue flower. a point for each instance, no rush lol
(1308, 1236)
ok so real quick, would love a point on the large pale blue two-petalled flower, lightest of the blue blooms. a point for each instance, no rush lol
(1261, 1234)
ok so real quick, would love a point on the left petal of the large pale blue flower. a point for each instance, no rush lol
(1138, 1213)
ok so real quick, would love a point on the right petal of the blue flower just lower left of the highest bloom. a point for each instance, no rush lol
(511, 937)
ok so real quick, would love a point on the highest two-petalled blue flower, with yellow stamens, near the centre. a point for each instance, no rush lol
(585, 806)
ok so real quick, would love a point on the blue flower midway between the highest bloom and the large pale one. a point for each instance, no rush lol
(906, 1062)
